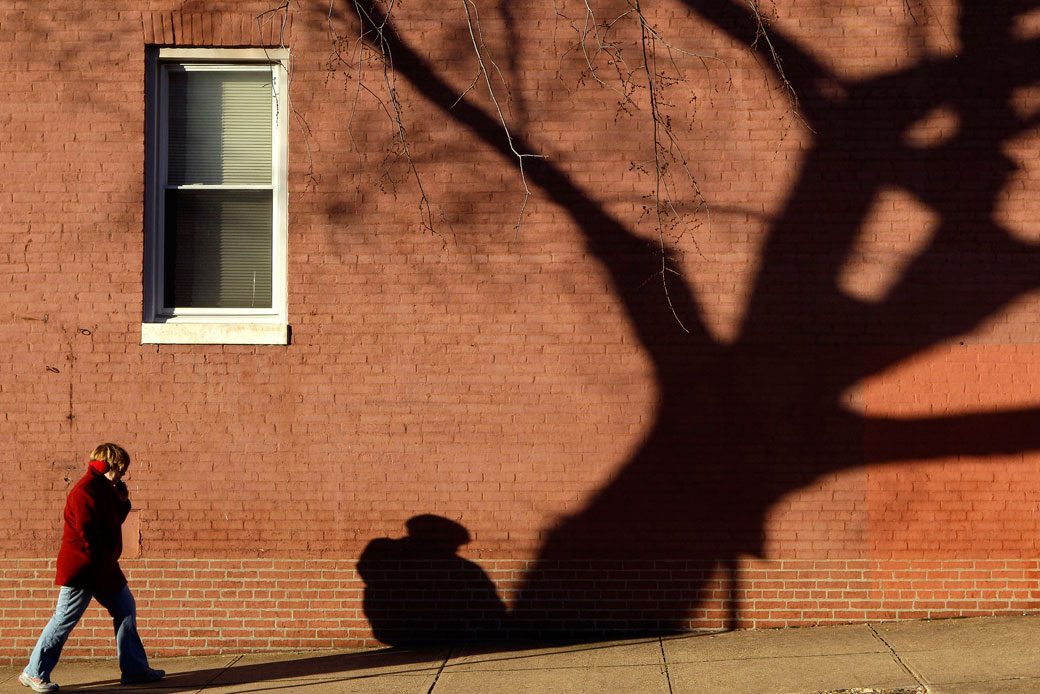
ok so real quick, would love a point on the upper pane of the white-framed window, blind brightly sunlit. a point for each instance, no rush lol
(220, 127)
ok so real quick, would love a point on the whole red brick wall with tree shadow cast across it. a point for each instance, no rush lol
(533, 384)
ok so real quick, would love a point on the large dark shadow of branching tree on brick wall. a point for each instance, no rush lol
(740, 426)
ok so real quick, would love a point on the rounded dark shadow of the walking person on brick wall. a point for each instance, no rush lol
(420, 592)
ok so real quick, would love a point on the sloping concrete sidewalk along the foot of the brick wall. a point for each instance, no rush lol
(979, 656)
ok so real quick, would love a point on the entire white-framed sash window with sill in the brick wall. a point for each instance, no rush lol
(216, 214)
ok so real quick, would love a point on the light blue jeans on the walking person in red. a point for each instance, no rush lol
(72, 605)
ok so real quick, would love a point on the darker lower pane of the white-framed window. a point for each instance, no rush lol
(219, 249)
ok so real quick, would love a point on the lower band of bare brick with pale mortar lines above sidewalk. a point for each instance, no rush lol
(197, 607)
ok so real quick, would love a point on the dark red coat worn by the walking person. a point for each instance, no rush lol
(93, 543)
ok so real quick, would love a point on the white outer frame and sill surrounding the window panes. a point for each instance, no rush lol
(179, 326)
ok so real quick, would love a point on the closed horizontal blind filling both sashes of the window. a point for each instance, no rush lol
(218, 223)
